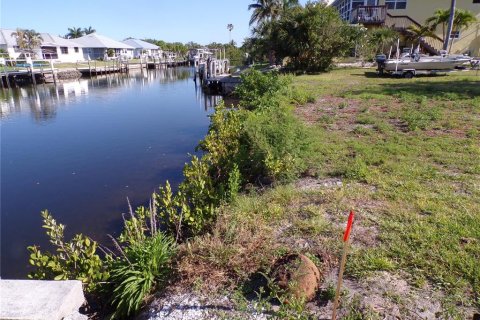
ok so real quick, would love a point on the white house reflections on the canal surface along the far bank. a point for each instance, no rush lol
(42, 101)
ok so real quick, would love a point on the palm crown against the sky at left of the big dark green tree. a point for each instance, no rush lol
(266, 10)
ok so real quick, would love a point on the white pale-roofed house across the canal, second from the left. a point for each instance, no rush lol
(96, 46)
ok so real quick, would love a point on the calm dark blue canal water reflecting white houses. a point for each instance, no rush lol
(81, 148)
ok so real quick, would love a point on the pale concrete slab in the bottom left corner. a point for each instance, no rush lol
(39, 299)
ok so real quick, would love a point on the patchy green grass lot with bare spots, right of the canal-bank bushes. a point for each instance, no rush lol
(405, 155)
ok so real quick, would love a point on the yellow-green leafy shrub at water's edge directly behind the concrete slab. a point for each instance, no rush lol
(76, 259)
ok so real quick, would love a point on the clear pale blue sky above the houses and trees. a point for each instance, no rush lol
(202, 21)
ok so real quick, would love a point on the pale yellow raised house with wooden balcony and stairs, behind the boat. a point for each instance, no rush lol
(400, 14)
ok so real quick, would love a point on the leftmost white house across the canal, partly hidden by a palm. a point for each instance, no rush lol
(51, 47)
